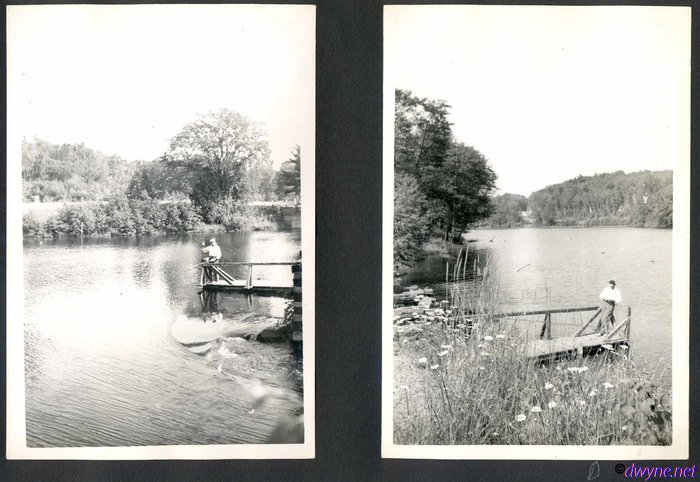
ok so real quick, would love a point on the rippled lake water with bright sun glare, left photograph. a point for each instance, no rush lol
(121, 350)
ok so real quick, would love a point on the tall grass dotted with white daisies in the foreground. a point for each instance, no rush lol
(466, 380)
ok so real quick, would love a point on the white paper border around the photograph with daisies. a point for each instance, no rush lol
(679, 448)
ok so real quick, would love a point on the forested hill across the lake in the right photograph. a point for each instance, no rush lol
(642, 198)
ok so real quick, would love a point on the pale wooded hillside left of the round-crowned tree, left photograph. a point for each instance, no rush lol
(71, 172)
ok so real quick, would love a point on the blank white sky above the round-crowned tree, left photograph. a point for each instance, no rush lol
(125, 79)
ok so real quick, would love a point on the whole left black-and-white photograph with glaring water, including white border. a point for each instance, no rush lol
(160, 231)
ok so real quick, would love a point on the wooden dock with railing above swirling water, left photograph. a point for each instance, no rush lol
(214, 277)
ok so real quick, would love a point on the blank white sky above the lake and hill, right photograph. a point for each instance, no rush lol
(548, 93)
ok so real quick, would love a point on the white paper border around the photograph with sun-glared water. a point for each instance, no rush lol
(16, 447)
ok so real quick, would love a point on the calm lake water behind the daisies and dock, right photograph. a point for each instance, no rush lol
(569, 267)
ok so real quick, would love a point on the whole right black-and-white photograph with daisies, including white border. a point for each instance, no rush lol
(536, 232)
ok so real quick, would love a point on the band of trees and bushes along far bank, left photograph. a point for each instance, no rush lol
(211, 171)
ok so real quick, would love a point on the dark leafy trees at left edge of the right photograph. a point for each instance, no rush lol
(440, 185)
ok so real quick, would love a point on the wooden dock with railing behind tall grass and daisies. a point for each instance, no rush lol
(583, 343)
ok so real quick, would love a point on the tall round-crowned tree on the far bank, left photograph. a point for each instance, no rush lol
(221, 154)
